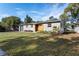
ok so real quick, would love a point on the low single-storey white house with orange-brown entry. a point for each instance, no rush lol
(41, 26)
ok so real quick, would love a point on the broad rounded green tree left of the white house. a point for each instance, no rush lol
(11, 23)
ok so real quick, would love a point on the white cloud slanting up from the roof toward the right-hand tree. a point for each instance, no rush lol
(55, 11)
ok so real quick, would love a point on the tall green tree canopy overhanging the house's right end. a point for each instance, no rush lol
(71, 12)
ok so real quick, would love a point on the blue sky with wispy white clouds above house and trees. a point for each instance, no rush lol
(38, 11)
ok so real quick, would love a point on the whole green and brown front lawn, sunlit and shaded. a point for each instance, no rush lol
(38, 44)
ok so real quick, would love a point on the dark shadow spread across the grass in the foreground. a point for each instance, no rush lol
(39, 46)
